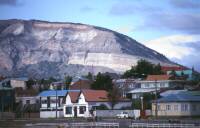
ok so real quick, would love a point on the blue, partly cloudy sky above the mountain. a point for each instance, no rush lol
(171, 27)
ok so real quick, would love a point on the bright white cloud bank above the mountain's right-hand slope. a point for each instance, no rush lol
(175, 46)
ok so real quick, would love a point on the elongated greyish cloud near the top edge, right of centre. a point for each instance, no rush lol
(122, 9)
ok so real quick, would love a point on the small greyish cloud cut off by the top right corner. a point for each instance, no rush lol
(186, 4)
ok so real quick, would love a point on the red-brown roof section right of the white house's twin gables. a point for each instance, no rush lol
(95, 95)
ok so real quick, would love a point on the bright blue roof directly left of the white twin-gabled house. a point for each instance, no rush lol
(53, 92)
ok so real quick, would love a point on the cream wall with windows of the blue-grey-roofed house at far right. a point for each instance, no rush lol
(177, 109)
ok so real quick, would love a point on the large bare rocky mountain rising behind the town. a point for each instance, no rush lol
(42, 49)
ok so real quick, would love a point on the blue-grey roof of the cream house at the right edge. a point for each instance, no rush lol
(192, 96)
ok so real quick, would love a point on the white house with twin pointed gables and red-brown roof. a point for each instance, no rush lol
(81, 104)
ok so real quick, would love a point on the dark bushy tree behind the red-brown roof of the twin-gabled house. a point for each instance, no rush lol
(102, 82)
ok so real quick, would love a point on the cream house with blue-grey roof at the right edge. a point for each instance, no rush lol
(184, 103)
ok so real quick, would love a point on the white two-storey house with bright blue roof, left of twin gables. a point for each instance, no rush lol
(51, 103)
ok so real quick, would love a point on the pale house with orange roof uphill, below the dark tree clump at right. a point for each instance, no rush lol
(159, 81)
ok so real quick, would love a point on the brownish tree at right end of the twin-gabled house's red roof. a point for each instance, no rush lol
(114, 96)
